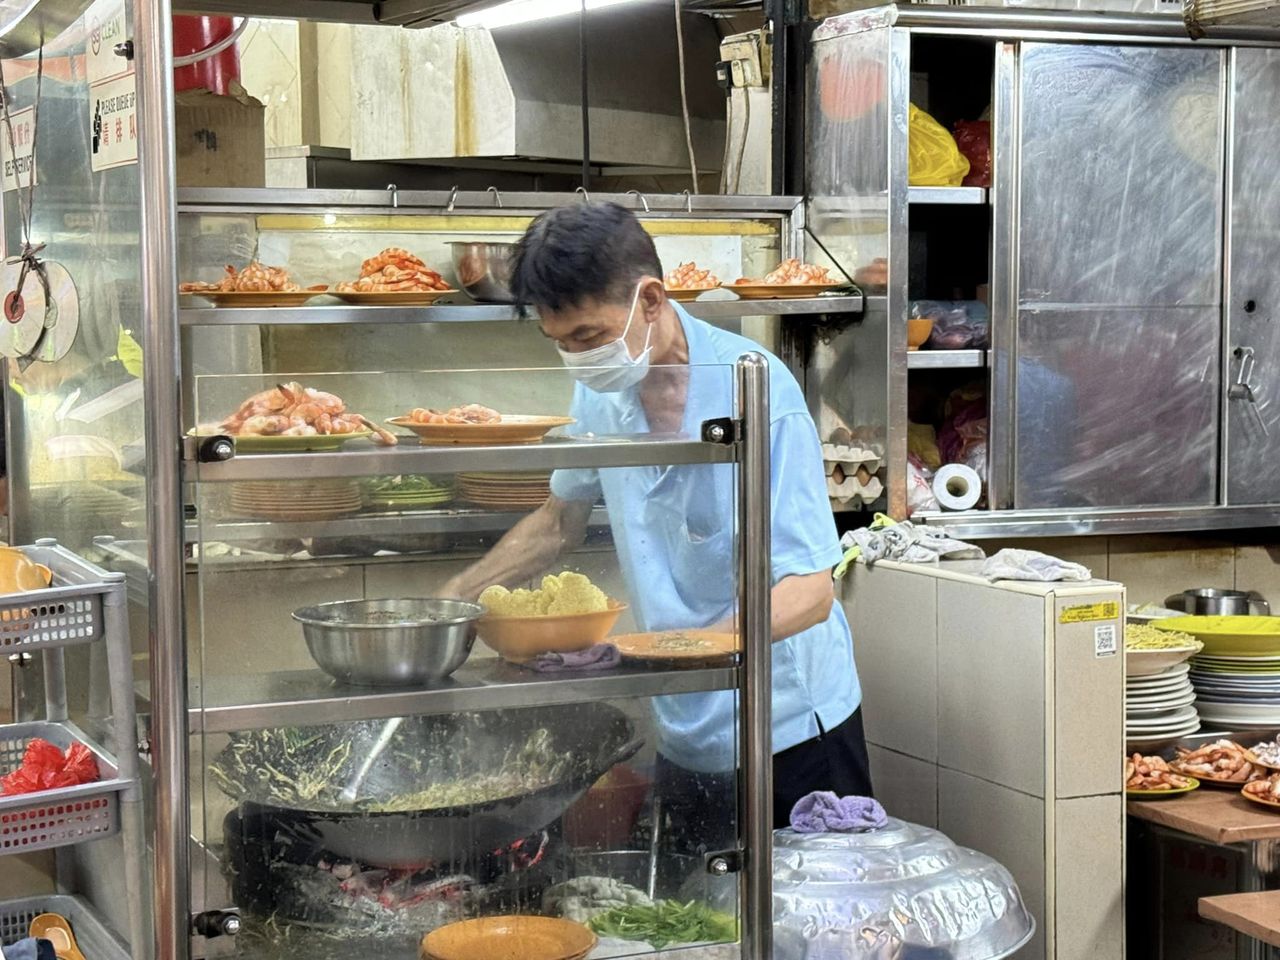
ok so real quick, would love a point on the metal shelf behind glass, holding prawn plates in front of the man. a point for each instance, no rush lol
(369, 460)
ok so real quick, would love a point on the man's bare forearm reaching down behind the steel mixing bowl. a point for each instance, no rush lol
(528, 548)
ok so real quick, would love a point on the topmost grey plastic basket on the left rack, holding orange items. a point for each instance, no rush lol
(68, 612)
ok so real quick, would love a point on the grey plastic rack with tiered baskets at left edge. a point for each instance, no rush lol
(84, 606)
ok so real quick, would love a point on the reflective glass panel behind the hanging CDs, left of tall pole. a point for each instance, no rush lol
(75, 427)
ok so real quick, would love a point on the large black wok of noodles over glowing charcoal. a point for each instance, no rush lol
(275, 774)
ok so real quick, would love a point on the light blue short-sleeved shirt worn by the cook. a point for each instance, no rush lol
(674, 532)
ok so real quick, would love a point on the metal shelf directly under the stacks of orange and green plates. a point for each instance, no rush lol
(460, 520)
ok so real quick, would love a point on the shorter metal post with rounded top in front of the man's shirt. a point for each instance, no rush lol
(756, 732)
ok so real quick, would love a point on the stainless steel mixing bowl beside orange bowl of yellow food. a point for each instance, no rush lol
(390, 643)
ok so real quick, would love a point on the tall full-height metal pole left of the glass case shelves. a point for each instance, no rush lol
(153, 47)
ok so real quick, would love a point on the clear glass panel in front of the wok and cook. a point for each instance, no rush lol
(595, 762)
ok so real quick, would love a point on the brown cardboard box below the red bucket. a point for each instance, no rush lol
(220, 140)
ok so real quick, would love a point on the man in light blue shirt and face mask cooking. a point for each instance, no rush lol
(644, 365)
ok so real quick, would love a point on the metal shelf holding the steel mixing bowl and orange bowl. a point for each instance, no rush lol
(308, 698)
